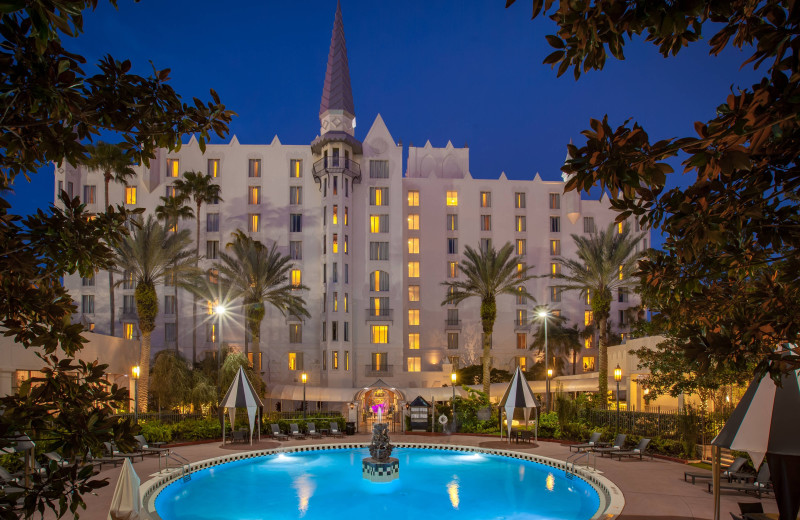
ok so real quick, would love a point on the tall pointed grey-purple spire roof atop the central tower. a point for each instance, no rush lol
(336, 93)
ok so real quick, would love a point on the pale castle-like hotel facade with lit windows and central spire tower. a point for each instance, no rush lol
(371, 242)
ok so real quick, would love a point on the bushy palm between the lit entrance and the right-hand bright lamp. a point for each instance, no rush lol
(489, 273)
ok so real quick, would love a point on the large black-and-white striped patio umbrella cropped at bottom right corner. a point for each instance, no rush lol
(766, 422)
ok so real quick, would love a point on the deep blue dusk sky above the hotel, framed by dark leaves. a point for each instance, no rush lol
(468, 71)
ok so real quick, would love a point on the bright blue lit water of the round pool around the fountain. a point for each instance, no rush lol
(327, 485)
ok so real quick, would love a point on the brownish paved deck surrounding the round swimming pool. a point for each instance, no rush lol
(652, 488)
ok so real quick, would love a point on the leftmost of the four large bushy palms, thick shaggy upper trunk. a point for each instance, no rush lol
(150, 254)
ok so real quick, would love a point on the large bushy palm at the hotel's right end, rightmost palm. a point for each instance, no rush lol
(606, 263)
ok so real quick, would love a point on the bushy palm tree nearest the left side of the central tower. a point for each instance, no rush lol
(258, 275)
